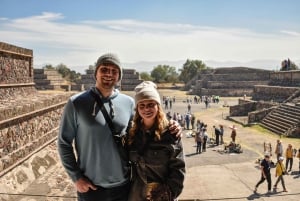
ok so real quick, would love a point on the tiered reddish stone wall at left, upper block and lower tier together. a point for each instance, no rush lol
(29, 119)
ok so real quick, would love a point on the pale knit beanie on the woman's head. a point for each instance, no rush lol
(147, 90)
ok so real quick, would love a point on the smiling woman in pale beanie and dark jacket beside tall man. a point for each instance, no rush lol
(156, 156)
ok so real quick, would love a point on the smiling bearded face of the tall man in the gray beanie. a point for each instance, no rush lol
(107, 76)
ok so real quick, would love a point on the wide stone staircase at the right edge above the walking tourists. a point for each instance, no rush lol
(282, 119)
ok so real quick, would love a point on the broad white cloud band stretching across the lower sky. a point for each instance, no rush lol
(54, 41)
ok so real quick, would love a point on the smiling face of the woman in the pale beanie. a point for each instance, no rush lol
(147, 109)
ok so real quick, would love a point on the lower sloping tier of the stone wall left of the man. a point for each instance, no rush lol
(28, 128)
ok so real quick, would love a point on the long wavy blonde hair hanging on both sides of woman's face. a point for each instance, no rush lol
(161, 122)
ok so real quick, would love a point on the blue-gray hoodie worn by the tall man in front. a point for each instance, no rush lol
(95, 154)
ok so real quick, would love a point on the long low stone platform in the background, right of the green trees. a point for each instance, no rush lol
(235, 81)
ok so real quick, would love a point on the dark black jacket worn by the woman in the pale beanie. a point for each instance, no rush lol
(156, 161)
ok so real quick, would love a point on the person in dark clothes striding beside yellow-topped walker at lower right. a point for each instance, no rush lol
(265, 173)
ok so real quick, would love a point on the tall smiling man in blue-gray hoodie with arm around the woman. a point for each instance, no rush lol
(98, 169)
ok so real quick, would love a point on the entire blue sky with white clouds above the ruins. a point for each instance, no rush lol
(76, 33)
